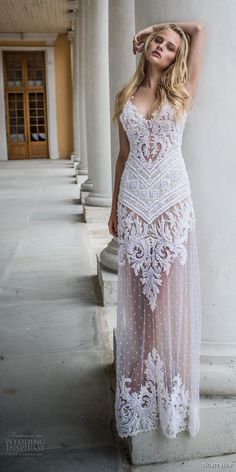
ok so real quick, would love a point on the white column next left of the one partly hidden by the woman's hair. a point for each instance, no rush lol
(97, 104)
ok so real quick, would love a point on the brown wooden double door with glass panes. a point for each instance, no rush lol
(25, 101)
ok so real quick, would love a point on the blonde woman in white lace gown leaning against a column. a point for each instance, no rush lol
(158, 292)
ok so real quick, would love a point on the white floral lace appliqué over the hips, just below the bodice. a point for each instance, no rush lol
(151, 249)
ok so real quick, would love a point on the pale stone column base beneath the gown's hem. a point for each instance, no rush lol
(217, 436)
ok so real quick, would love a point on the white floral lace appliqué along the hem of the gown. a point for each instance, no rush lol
(142, 411)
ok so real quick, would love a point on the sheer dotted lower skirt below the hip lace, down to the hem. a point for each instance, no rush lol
(158, 350)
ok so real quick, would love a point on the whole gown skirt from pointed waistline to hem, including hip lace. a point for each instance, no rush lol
(158, 323)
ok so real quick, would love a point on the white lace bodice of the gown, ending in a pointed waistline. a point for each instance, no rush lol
(154, 176)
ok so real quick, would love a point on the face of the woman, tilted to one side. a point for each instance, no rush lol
(165, 43)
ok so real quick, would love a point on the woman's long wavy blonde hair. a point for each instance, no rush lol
(172, 83)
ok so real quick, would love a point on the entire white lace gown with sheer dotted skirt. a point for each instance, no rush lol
(159, 305)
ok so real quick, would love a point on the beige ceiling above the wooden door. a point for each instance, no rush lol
(36, 16)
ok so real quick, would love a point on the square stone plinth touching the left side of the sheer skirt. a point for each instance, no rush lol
(108, 283)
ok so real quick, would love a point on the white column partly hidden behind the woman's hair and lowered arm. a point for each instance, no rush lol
(121, 67)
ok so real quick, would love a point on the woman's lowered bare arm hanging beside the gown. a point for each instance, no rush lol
(120, 163)
